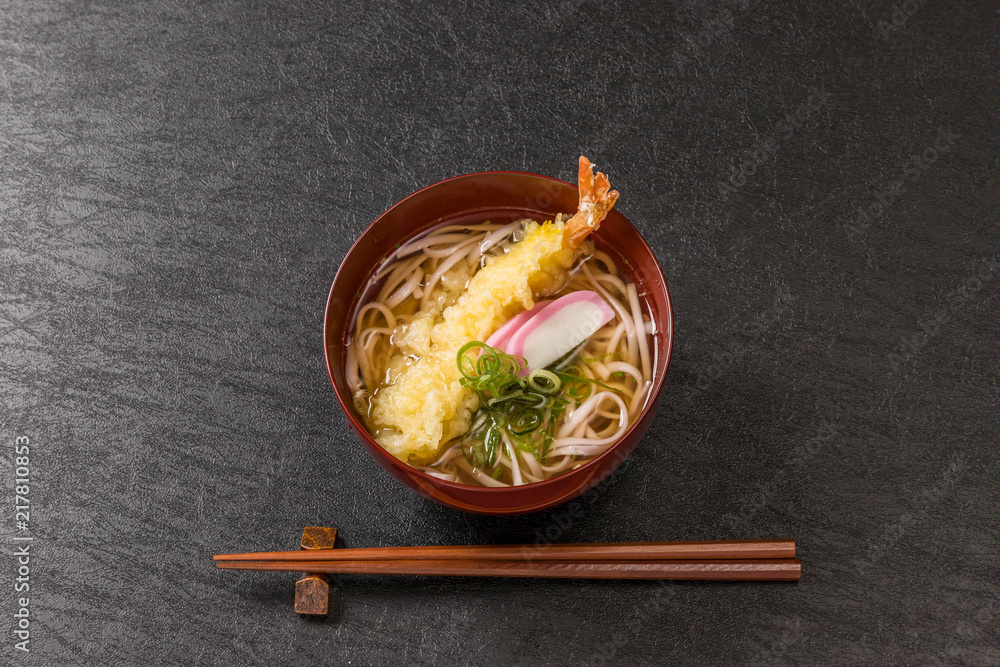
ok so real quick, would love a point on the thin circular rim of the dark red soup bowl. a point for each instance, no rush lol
(596, 462)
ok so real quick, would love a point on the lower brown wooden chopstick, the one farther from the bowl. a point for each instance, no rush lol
(766, 569)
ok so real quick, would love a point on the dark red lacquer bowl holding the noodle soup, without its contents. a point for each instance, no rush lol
(496, 196)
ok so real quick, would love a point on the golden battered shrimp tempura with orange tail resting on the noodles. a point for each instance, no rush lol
(427, 405)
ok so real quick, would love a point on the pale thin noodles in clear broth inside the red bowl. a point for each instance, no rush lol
(429, 273)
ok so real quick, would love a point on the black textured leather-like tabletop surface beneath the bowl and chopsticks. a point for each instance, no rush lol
(180, 181)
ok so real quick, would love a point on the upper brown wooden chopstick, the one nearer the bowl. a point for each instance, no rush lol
(613, 551)
